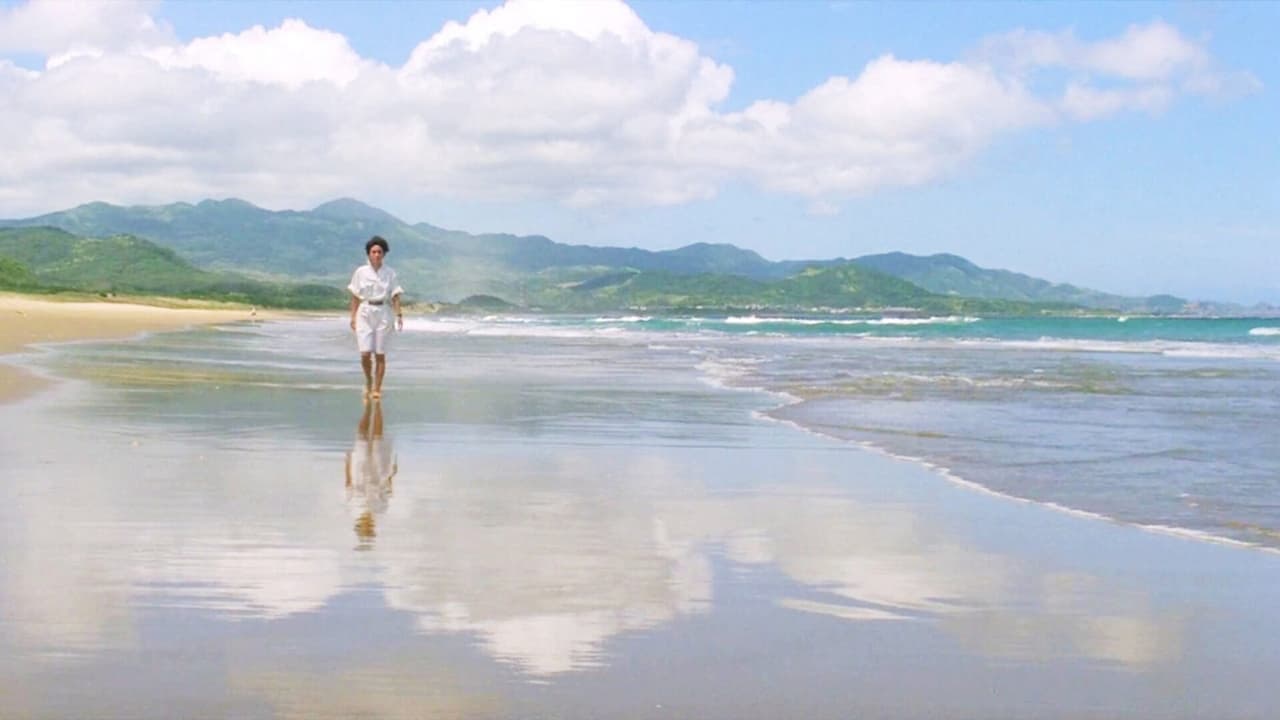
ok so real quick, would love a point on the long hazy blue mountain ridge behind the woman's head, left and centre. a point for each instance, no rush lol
(328, 243)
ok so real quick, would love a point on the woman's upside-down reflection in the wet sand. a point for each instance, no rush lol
(371, 468)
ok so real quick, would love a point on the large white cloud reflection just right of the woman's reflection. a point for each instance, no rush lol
(542, 562)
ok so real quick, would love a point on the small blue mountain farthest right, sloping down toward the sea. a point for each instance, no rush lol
(952, 275)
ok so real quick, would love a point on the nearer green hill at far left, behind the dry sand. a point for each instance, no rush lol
(52, 259)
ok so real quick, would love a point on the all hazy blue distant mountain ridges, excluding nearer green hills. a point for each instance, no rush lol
(326, 244)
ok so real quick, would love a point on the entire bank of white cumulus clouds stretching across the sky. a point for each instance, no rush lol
(572, 102)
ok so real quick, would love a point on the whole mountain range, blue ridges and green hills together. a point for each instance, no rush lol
(226, 247)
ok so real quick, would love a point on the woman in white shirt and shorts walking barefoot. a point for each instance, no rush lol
(374, 297)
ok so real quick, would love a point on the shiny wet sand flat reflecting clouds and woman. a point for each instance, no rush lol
(554, 520)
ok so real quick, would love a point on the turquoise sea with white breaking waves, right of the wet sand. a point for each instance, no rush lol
(1169, 423)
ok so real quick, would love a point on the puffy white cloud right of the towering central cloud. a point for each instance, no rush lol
(898, 124)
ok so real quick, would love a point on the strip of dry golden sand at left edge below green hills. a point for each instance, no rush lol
(26, 321)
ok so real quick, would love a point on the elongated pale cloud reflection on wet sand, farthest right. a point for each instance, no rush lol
(883, 563)
